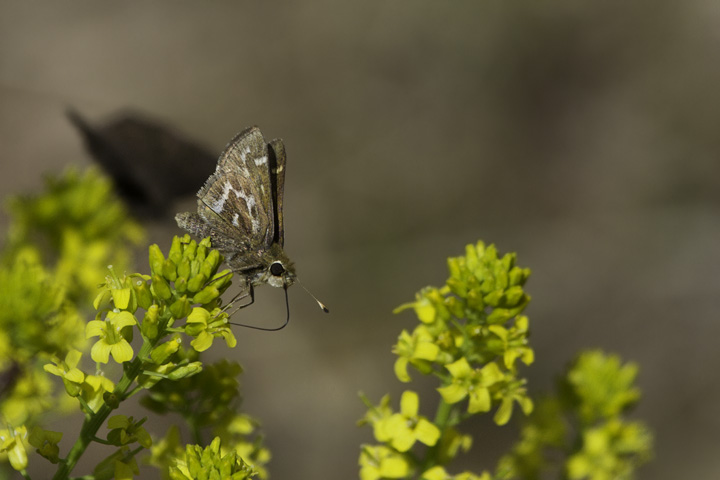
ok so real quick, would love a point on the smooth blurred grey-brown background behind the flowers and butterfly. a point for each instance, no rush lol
(581, 135)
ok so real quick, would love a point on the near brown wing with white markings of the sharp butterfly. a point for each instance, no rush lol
(237, 200)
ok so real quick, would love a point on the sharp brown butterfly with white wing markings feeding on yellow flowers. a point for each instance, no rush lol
(240, 209)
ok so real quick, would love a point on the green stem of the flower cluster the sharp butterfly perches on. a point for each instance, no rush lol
(91, 425)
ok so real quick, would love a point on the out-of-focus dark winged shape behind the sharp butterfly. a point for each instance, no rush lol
(150, 163)
